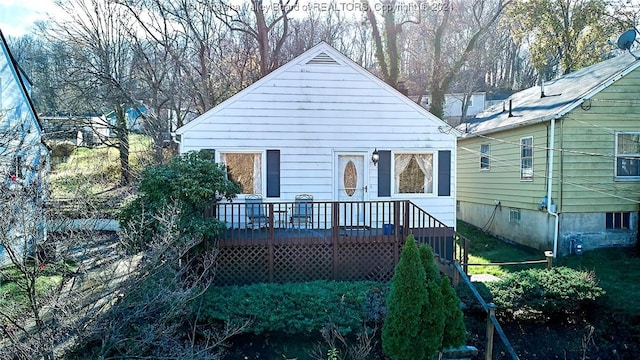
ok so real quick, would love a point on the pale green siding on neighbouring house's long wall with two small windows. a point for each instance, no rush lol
(502, 181)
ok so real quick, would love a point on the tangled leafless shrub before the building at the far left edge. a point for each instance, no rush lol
(22, 235)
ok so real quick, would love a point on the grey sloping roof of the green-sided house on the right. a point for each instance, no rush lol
(561, 96)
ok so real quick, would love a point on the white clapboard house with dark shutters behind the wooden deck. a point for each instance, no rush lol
(312, 126)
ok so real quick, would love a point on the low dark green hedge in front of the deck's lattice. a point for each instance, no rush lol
(293, 308)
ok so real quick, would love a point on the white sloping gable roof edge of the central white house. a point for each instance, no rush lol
(323, 54)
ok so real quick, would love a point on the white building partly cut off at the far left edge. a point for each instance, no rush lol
(23, 161)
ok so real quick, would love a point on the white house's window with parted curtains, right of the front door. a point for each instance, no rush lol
(414, 173)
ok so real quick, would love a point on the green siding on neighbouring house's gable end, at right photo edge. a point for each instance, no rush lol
(588, 143)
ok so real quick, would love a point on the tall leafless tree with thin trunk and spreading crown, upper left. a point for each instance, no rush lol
(100, 66)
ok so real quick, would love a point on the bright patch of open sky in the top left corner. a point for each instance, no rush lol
(17, 17)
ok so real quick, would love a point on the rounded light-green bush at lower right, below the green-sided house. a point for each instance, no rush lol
(545, 293)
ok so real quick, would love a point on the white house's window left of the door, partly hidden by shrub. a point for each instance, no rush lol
(245, 168)
